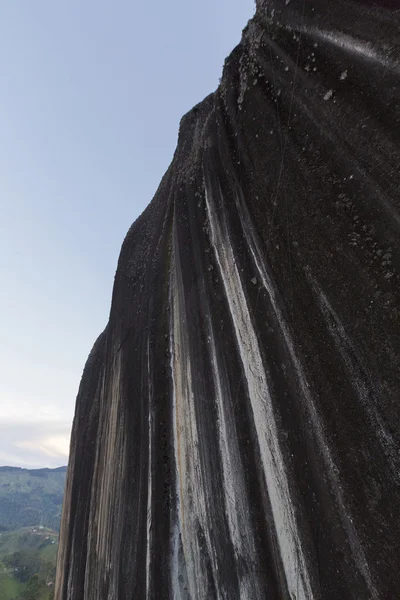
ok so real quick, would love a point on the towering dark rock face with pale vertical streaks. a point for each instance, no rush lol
(237, 425)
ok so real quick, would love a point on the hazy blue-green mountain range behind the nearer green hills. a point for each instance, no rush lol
(30, 497)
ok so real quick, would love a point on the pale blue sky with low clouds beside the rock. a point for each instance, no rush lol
(91, 94)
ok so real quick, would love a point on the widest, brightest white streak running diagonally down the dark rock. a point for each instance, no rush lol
(293, 560)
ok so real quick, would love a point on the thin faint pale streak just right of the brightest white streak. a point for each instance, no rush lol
(309, 404)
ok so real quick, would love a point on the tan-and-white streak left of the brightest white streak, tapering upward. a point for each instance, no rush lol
(191, 491)
